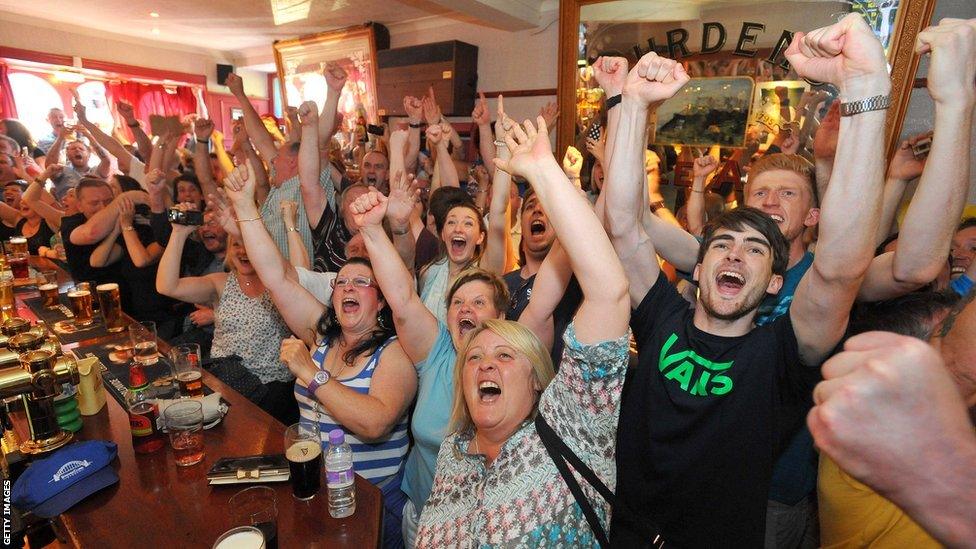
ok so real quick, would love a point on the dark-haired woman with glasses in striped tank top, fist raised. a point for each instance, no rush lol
(357, 377)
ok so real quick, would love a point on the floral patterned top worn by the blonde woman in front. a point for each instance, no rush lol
(520, 500)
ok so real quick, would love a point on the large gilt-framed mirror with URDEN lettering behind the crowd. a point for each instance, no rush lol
(723, 44)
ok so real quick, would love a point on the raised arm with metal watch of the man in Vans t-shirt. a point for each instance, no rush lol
(848, 55)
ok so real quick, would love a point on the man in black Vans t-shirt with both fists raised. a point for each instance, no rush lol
(714, 398)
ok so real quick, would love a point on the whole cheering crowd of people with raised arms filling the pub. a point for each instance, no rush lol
(804, 364)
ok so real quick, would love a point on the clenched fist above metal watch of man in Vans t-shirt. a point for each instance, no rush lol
(846, 54)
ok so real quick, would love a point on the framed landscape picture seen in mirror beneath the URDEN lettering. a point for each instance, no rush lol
(706, 112)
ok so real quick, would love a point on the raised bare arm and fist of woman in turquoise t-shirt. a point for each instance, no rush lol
(415, 325)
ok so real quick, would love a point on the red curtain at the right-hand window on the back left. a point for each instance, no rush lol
(149, 99)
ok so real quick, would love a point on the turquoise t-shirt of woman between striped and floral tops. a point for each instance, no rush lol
(435, 394)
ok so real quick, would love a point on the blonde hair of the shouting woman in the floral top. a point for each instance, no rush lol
(520, 338)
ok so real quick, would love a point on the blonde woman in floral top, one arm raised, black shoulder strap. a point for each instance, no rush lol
(495, 483)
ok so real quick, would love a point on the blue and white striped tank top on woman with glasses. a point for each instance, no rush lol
(376, 460)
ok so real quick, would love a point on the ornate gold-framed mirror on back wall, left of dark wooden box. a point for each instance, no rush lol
(300, 63)
